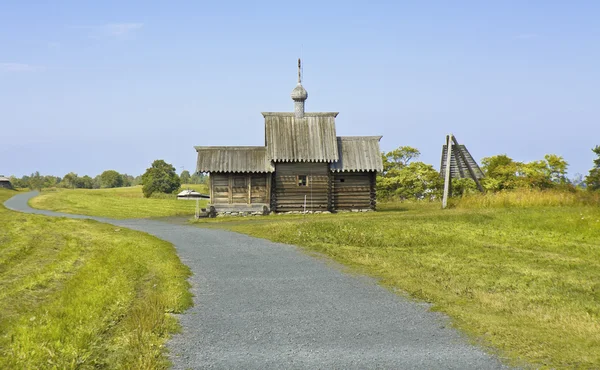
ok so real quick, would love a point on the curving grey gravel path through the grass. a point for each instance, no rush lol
(261, 305)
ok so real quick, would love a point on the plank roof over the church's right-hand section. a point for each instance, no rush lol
(358, 153)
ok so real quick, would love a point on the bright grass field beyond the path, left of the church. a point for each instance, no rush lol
(116, 203)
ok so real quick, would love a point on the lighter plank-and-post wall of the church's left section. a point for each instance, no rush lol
(228, 188)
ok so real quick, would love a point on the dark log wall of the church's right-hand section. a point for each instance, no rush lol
(353, 190)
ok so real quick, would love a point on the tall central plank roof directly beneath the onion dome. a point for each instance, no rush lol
(308, 139)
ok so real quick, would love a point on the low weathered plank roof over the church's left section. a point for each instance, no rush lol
(233, 159)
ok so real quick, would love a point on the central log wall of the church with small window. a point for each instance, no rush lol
(289, 195)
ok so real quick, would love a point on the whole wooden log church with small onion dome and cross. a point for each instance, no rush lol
(303, 166)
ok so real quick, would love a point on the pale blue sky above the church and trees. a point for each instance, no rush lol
(90, 86)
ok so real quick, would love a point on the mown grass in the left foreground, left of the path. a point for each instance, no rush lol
(81, 294)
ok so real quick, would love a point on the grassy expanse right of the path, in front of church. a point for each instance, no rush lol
(525, 281)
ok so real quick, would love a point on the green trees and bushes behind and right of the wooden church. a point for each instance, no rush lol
(403, 178)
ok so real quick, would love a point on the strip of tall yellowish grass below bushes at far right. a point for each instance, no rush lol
(528, 198)
